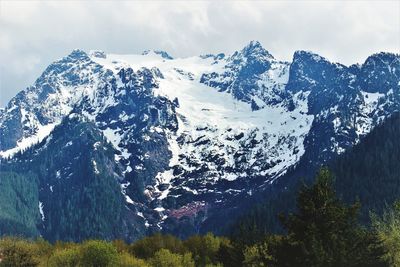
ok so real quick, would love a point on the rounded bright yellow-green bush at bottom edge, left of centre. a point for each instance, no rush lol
(98, 253)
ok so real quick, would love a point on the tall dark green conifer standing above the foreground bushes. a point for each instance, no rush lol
(325, 232)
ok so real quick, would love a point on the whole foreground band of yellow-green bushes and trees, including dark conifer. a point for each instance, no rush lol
(323, 231)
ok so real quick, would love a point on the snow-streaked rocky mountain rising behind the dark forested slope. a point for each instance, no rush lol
(186, 137)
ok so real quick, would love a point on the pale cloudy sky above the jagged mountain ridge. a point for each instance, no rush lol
(33, 34)
